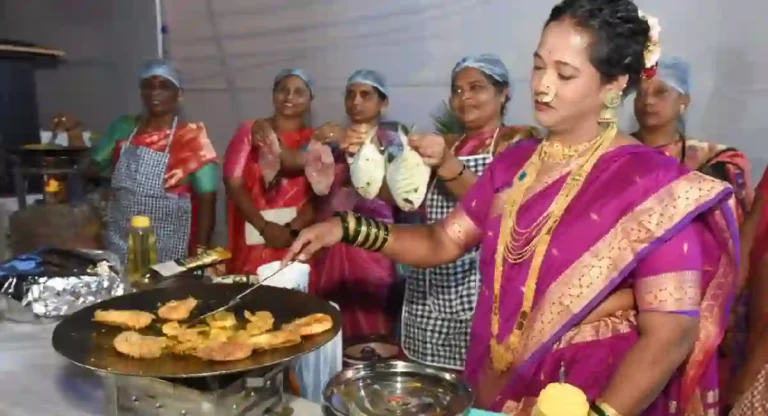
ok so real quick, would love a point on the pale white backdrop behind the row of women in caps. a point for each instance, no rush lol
(229, 51)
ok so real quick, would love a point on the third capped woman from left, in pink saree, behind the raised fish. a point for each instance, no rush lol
(361, 282)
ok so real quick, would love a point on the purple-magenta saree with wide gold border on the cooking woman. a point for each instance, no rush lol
(640, 223)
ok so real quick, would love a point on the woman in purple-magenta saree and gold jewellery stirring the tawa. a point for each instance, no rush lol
(602, 261)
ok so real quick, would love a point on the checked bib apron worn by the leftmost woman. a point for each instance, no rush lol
(138, 189)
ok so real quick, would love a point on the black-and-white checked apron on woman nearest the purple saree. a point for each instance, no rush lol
(440, 301)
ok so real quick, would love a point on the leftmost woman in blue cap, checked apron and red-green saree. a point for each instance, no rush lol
(162, 167)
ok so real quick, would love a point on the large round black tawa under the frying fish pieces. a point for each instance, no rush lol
(89, 344)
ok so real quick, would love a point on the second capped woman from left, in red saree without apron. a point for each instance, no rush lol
(265, 209)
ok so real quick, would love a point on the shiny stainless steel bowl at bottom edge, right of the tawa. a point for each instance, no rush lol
(396, 388)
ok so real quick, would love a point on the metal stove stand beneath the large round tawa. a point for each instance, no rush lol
(259, 392)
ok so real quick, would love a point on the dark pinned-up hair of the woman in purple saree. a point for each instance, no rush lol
(619, 35)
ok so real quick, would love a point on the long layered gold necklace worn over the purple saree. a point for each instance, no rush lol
(516, 244)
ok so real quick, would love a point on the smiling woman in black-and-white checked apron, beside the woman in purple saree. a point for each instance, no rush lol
(440, 301)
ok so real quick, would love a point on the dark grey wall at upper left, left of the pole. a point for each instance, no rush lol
(106, 42)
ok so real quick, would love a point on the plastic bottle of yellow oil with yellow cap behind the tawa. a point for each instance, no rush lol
(142, 251)
